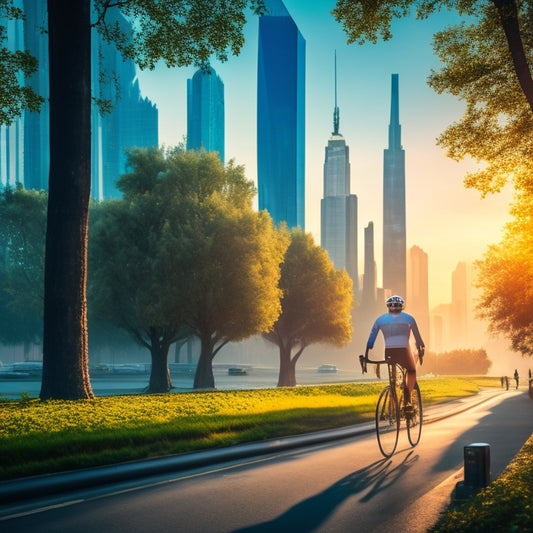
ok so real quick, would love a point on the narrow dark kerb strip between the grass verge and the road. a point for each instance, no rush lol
(61, 483)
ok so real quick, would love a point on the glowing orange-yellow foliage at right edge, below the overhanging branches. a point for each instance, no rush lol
(504, 277)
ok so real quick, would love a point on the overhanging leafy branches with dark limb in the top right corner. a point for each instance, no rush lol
(486, 65)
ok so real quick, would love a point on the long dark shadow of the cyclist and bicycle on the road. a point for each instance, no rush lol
(307, 515)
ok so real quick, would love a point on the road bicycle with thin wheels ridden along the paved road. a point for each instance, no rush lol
(391, 409)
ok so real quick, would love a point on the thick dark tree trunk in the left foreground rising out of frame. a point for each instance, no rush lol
(65, 347)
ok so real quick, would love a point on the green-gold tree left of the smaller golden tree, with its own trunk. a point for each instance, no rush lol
(234, 292)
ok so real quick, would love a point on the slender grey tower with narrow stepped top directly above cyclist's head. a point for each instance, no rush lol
(394, 239)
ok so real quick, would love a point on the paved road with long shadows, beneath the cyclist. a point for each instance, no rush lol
(327, 487)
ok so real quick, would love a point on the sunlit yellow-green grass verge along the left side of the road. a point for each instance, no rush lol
(45, 437)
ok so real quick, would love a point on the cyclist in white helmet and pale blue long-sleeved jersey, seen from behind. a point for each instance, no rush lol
(396, 327)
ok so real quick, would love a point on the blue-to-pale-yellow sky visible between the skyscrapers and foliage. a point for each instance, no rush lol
(450, 223)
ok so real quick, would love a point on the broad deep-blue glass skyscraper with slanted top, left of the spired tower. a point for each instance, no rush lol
(281, 116)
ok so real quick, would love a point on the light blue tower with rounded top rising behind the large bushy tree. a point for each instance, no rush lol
(205, 112)
